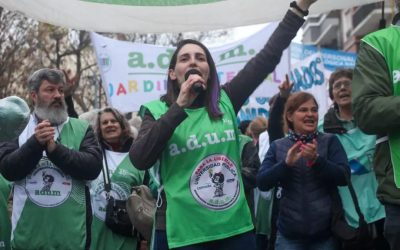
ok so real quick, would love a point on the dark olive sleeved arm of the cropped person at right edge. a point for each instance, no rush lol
(375, 109)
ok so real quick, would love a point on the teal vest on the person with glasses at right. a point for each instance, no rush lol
(360, 150)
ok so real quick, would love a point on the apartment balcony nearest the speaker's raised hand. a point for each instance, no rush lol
(322, 30)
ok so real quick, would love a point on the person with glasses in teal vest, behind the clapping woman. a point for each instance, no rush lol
(360, 149)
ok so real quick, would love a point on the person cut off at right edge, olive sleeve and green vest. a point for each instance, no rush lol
(376, 107)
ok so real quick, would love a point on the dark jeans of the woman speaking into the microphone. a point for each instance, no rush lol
(237, 242)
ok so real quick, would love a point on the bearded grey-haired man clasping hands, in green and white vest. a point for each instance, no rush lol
(49, 165)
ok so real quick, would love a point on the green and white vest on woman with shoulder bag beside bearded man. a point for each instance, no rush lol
(123, 177)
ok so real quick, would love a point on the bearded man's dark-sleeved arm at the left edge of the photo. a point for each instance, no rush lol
(17, 162)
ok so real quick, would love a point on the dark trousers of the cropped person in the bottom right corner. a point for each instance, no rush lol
(392, 226)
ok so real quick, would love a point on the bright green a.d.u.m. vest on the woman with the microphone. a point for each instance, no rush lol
(200, 171)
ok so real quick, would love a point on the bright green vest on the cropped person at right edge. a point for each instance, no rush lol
(386, 42)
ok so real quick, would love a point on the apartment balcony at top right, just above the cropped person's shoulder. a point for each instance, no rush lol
(366, 18)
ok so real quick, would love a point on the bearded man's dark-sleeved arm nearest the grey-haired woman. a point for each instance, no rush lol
(84, 164)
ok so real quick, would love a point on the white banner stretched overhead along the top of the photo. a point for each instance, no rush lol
(127, 16)
